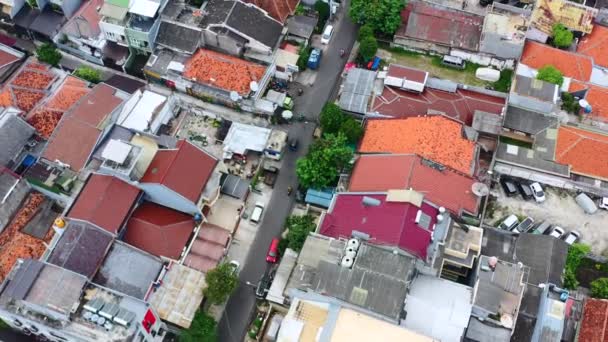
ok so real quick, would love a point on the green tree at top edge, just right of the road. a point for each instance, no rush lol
(384, 16)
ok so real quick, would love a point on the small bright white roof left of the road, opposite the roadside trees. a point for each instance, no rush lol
(242, 138)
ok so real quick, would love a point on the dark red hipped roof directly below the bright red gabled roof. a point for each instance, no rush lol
(159, 230)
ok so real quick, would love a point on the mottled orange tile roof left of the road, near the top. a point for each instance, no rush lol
(223, 71)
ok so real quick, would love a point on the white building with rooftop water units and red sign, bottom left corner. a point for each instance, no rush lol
(59, 304)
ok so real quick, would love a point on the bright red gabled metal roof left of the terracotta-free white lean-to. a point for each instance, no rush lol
(185, 170)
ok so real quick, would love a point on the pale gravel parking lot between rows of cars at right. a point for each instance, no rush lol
(559, 209)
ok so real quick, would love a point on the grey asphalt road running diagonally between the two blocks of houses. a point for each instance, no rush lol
(240, 307)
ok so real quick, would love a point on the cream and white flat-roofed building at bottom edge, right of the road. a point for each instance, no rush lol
(312, 316)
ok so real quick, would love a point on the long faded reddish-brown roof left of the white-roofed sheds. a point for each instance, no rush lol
(82, 124)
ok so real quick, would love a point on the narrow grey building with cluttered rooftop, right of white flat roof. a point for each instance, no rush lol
(498, 293)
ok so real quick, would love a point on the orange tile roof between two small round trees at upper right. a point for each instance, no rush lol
(537, 55)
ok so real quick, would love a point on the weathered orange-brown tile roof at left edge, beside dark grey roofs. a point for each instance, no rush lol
(16, 245)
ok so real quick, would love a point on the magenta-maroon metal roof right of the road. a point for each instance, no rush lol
(390, 223)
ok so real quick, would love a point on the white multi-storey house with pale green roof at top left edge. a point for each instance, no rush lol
(132, 23)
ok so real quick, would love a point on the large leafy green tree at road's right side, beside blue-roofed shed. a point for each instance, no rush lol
(320, 167)
